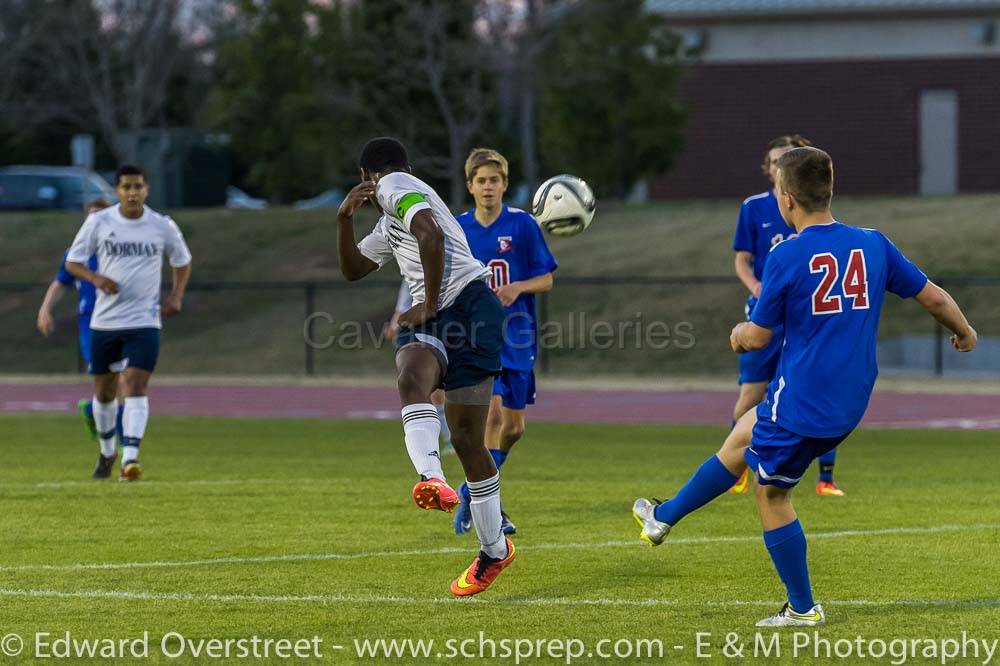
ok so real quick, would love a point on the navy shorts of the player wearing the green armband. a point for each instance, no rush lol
(467, 336)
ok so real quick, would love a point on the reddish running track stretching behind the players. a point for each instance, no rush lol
(891, 410)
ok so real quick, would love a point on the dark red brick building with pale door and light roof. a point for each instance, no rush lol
(905, 94)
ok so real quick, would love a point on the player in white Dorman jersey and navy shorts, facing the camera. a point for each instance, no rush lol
(130, 241)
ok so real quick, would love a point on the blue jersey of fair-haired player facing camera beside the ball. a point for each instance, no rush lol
(513, 248)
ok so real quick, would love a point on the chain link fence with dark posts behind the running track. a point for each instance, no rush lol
(616, 326)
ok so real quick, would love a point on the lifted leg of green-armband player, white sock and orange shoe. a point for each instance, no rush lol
(418, 374)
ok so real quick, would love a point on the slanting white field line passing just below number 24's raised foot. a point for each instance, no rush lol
(601, 545)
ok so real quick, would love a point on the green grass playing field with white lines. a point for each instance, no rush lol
(290, 529)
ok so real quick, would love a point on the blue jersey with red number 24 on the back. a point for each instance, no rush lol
(826, 286)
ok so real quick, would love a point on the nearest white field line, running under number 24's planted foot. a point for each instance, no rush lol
(324, 599)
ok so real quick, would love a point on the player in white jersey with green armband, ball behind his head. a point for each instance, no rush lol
(451, 338)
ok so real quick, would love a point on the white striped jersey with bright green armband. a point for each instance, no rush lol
(401, 196)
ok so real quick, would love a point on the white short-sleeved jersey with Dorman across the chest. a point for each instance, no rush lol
(130, 252)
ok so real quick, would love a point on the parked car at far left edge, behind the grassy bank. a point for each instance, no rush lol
(51, 188)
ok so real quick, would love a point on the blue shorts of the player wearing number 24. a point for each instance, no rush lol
(779, 457)
